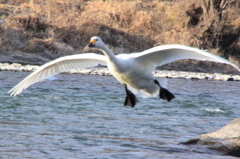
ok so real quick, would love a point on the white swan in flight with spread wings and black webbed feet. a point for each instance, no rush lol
(134, 71)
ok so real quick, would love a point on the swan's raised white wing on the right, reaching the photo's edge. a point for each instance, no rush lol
(164, 54)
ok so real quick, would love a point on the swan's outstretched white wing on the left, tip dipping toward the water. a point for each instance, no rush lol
(59, 65)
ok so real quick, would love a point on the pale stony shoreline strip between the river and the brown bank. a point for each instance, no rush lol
(103, 71)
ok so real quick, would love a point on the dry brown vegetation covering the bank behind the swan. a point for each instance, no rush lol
(53, 28)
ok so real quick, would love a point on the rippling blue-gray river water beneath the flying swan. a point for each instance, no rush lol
(82, 116)
